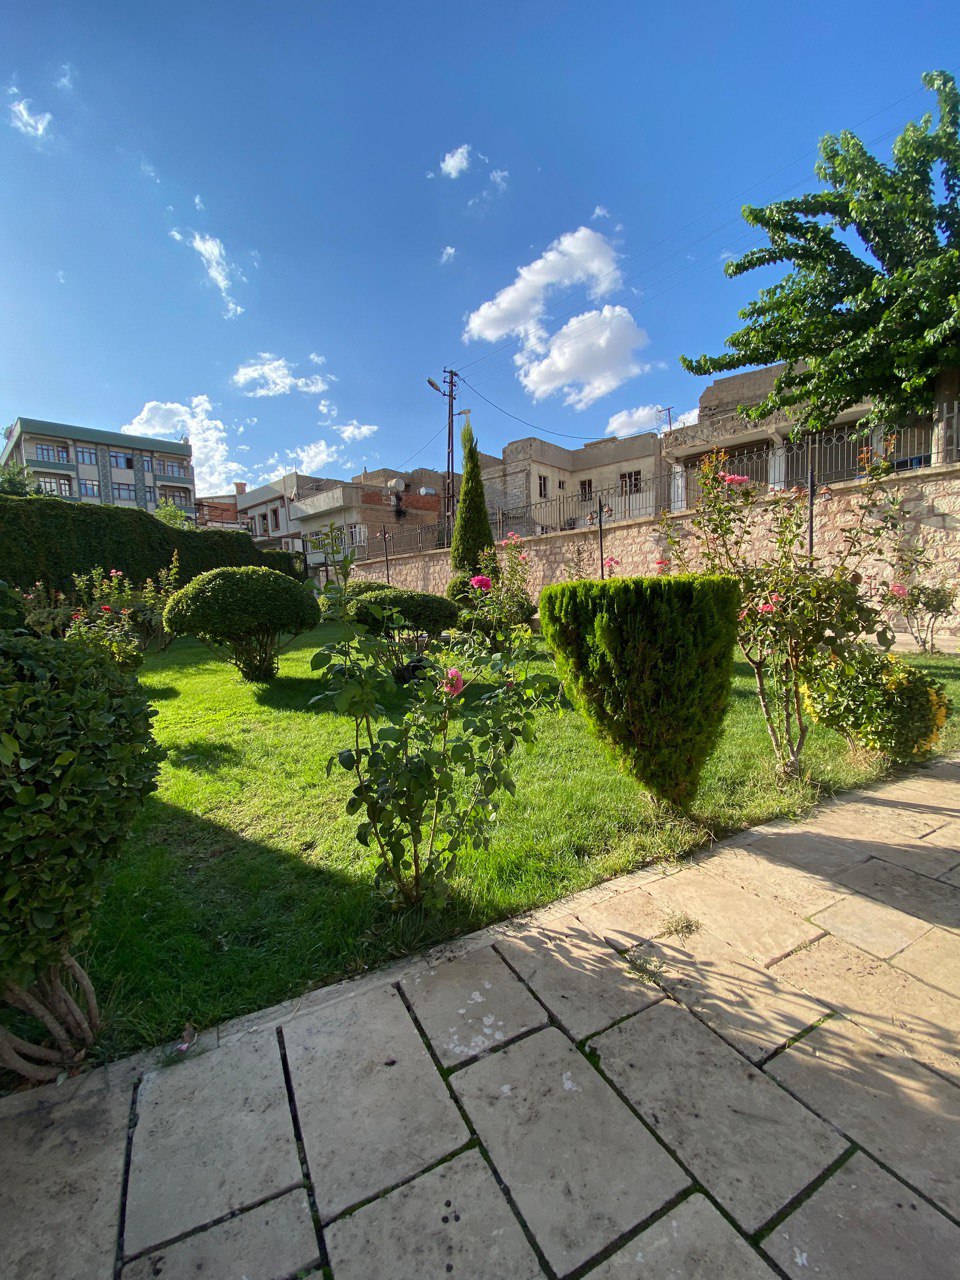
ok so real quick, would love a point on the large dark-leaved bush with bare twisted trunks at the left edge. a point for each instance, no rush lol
(76, 761)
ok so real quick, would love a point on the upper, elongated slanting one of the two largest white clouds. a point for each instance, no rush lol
(583, 257)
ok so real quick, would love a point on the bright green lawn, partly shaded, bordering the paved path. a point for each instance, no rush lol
(243, 884)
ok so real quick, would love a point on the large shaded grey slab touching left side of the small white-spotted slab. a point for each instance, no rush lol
(372, 1105)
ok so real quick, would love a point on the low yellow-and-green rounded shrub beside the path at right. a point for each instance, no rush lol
(877, 702)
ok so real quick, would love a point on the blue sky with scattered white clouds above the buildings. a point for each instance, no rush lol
(269, 225)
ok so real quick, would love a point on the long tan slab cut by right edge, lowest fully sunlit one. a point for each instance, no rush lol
(921, 1021)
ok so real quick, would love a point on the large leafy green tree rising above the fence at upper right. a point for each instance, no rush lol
(871, 308)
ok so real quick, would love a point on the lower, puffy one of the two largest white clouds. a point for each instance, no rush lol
(589, 358)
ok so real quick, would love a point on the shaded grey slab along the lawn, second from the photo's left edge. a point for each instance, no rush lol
(213, 1135)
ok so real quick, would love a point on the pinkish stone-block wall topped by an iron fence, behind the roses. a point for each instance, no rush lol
(932, 499)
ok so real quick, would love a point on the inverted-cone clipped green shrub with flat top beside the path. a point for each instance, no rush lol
(650, 661)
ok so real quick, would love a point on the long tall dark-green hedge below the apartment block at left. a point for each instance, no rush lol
(49, 541)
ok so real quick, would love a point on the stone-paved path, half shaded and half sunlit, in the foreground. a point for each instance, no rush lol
(742, 1069)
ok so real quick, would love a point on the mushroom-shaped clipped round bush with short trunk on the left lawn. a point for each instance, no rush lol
(243, 615)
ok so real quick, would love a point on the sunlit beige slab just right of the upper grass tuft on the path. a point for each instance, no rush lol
(751, 924)
